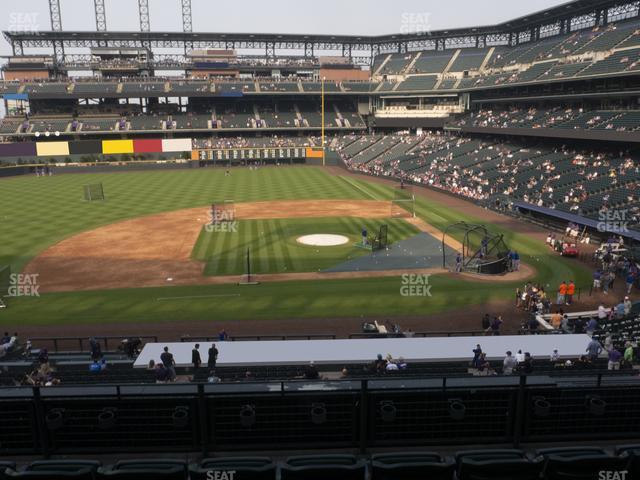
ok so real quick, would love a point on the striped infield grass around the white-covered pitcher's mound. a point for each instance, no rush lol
(274, 248)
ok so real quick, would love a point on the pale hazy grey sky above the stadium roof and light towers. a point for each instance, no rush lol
(356, 17)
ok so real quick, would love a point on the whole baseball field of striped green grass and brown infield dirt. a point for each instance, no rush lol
(143, 256)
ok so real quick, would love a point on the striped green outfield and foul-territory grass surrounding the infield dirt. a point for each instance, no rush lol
(38, 212)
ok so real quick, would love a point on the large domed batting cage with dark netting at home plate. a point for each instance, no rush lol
(479, 250)
